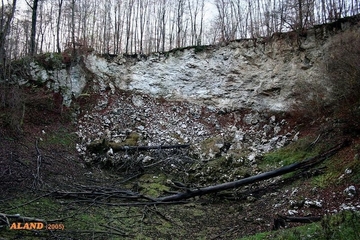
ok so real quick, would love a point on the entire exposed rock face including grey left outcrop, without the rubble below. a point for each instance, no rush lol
(272, 73)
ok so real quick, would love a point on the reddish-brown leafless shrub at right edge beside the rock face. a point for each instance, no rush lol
(343, 70)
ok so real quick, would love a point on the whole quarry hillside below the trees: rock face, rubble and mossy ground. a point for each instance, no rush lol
(243, 109)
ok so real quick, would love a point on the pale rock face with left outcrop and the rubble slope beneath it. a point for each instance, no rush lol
(223, 100)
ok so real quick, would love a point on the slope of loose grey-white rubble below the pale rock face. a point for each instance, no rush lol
(156, 122)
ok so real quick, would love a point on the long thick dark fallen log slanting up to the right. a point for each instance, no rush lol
(308, 163)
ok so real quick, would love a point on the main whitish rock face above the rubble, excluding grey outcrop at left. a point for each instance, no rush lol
(236, 76)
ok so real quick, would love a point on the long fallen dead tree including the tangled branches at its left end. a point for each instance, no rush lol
(97, 195)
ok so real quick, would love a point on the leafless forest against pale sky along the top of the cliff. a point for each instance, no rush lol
(29, 27)
